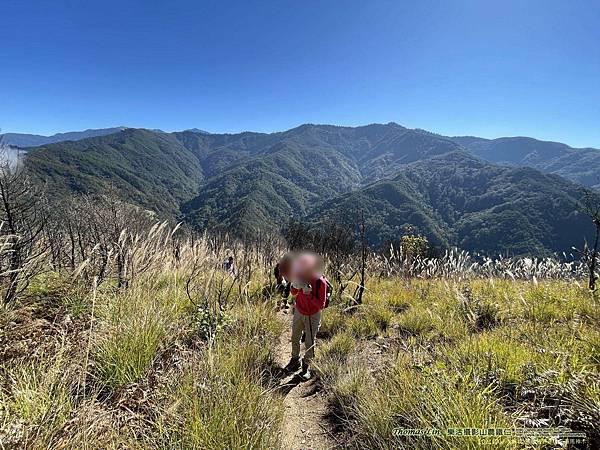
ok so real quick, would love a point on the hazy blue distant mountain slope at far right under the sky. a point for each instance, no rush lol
(581, 165)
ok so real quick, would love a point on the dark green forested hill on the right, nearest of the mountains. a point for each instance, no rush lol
(459, 199)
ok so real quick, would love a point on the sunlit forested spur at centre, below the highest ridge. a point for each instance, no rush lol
(264, 190)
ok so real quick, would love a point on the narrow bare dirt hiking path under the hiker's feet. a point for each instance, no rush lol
(305, 425)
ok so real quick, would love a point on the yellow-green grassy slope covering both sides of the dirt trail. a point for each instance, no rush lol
(416, 354)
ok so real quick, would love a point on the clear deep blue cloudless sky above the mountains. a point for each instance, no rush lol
(504, 68)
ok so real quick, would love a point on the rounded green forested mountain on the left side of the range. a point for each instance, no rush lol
(147, 168)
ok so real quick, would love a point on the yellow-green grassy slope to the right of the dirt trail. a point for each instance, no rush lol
(482, 354)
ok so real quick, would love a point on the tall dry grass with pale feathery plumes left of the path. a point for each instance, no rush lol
(151, 378)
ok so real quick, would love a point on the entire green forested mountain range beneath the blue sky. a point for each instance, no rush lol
(510, 195)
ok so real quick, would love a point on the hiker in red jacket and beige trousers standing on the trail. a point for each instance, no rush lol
(310, 288)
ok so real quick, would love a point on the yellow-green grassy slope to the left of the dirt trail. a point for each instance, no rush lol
(151, 380)
